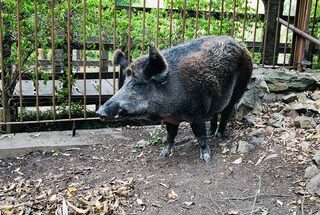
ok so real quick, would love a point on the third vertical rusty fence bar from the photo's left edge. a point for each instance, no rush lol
(36, 57)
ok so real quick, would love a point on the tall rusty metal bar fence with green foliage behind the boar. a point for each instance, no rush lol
(55, 56)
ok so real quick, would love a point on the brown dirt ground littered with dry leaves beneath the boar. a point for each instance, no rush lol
(267, 180)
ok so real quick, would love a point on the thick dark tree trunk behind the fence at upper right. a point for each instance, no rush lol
(271, 37)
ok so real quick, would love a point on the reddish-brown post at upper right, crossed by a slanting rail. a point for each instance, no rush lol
(302, 24)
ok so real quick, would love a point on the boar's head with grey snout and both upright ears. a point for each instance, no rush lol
(143, 83)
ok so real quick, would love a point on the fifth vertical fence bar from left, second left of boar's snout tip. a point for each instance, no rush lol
(69, 57)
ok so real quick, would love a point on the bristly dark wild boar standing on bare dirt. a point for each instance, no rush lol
(192, 82)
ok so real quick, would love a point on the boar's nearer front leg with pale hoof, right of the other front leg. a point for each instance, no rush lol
(199, 130)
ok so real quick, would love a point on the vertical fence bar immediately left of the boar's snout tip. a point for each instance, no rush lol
(85, 59)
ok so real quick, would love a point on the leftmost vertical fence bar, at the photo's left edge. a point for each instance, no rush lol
(3, 96)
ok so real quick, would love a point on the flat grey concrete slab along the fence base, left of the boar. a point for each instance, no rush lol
(13, 145)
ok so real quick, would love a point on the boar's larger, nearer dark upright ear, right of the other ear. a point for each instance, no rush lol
(156, 65)
